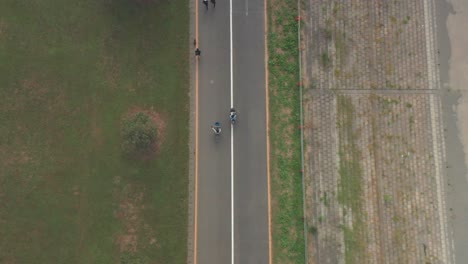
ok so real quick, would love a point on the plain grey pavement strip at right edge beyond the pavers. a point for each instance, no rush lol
(452, 19)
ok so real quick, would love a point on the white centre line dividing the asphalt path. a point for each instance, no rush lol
(232, 140)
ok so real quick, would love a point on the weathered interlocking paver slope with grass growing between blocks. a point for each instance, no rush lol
(374, 148)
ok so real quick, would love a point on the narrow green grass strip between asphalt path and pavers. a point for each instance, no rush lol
(286, 184)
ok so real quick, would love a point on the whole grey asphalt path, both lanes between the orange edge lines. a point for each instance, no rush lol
(250, 172)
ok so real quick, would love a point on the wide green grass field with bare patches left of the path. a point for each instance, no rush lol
(69, 71)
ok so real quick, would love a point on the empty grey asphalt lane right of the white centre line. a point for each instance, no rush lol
(251, 204)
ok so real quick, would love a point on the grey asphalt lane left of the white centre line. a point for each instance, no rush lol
(214, 205)
